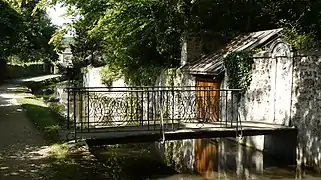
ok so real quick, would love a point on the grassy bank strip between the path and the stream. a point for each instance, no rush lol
(65, 160)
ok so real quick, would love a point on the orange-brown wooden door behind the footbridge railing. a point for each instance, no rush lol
(208, 99)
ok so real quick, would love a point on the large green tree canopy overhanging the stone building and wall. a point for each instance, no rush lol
(140, 37)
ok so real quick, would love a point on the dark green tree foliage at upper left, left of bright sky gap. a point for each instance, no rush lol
(34, 37)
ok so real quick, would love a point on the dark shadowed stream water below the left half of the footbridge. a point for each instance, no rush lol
(137, 161)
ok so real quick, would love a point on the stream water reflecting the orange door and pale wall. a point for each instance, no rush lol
(233, 161)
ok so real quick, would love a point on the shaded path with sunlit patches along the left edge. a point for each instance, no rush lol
(21, 145)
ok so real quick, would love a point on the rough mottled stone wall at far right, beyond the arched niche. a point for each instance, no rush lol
(306, 105)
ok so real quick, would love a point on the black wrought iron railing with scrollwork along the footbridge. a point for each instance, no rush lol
(150, 107)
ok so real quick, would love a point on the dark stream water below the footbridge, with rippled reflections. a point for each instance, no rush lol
(139, 161)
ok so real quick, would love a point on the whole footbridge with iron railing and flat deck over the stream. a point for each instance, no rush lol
(147, 114)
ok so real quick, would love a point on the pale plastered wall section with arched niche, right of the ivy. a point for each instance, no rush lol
(268, 99)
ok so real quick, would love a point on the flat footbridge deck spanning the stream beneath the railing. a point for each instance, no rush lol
(128, 134)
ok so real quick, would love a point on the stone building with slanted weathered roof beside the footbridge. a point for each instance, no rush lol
(285, 89)
